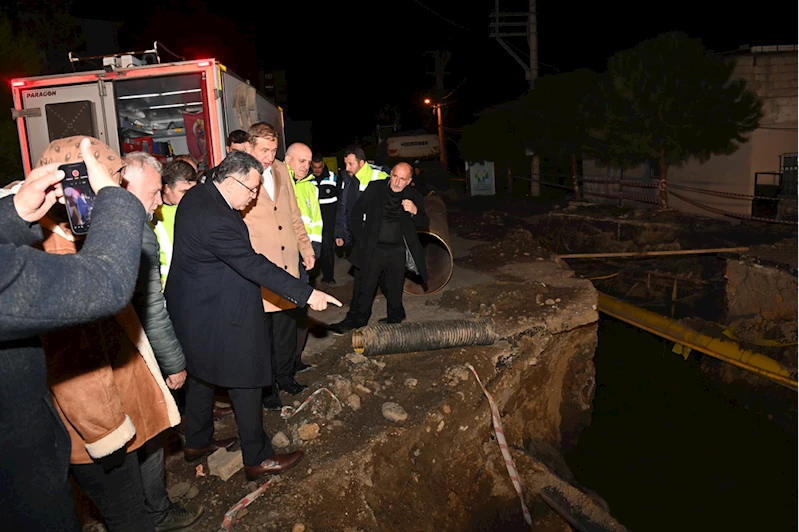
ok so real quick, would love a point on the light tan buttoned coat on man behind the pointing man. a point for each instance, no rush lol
(278, 232)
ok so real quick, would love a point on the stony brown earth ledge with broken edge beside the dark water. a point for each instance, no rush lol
(410, 442)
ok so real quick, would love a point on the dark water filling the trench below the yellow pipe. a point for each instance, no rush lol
(667, 453)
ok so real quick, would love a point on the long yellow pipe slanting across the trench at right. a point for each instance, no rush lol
(721, 349)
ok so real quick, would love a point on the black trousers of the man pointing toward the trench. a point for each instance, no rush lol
(255, 446)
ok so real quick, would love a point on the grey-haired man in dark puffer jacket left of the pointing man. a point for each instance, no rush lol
(142, 177)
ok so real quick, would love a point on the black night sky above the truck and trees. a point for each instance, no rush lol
(345, 60)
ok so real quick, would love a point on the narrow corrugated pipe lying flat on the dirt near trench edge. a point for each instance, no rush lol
(384, 339)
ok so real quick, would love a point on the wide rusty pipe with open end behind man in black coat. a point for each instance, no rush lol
(438, 254)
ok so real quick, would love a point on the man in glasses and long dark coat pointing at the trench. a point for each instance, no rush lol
(213, 293)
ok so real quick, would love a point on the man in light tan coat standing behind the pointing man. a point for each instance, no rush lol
(278, 232)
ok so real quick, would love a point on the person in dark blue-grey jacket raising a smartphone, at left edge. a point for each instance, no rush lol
(41, 292)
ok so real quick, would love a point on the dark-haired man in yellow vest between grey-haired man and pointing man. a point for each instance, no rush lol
(177, 178)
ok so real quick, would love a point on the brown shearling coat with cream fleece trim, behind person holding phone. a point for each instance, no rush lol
(104, 378)
